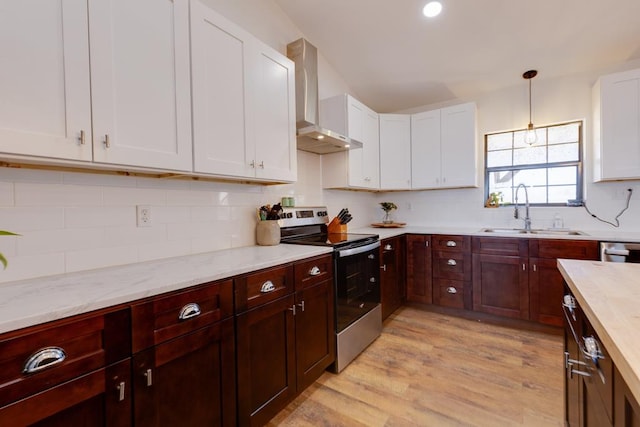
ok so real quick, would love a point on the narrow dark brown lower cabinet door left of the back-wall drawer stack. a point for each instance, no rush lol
(419, 278)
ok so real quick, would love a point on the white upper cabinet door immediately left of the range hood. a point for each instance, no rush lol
(274, 116)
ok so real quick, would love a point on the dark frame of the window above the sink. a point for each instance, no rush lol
(579, 164)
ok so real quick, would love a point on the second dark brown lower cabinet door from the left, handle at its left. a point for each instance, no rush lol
(188, 380)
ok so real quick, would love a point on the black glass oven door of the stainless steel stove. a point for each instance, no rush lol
(357, 277)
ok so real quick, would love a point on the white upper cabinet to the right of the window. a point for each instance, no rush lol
(616, 133)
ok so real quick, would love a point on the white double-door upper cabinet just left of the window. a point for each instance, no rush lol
(443, 148)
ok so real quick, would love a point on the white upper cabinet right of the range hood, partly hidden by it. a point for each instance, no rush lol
(356, 168)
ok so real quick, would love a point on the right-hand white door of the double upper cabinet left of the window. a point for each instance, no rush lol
(458, 148)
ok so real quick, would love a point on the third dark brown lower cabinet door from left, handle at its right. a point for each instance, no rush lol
(266, 361)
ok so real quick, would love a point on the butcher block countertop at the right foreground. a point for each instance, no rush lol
(609, 295)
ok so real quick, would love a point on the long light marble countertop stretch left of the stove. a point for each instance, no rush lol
(34, 301)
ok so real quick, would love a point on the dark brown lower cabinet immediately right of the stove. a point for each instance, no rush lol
(391, 274)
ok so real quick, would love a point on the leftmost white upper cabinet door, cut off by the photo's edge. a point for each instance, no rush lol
(44, 79)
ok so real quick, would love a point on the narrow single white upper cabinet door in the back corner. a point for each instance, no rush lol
(395, 151)
